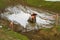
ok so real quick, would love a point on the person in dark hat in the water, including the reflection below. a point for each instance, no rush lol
(31, 23)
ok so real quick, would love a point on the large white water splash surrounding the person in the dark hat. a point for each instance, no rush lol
(21, 15)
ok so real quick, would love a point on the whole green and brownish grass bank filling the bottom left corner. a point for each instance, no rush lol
(11, 35)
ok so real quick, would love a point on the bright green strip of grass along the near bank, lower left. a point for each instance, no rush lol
(16, 35)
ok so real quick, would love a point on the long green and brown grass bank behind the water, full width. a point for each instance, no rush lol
(51, 6)
